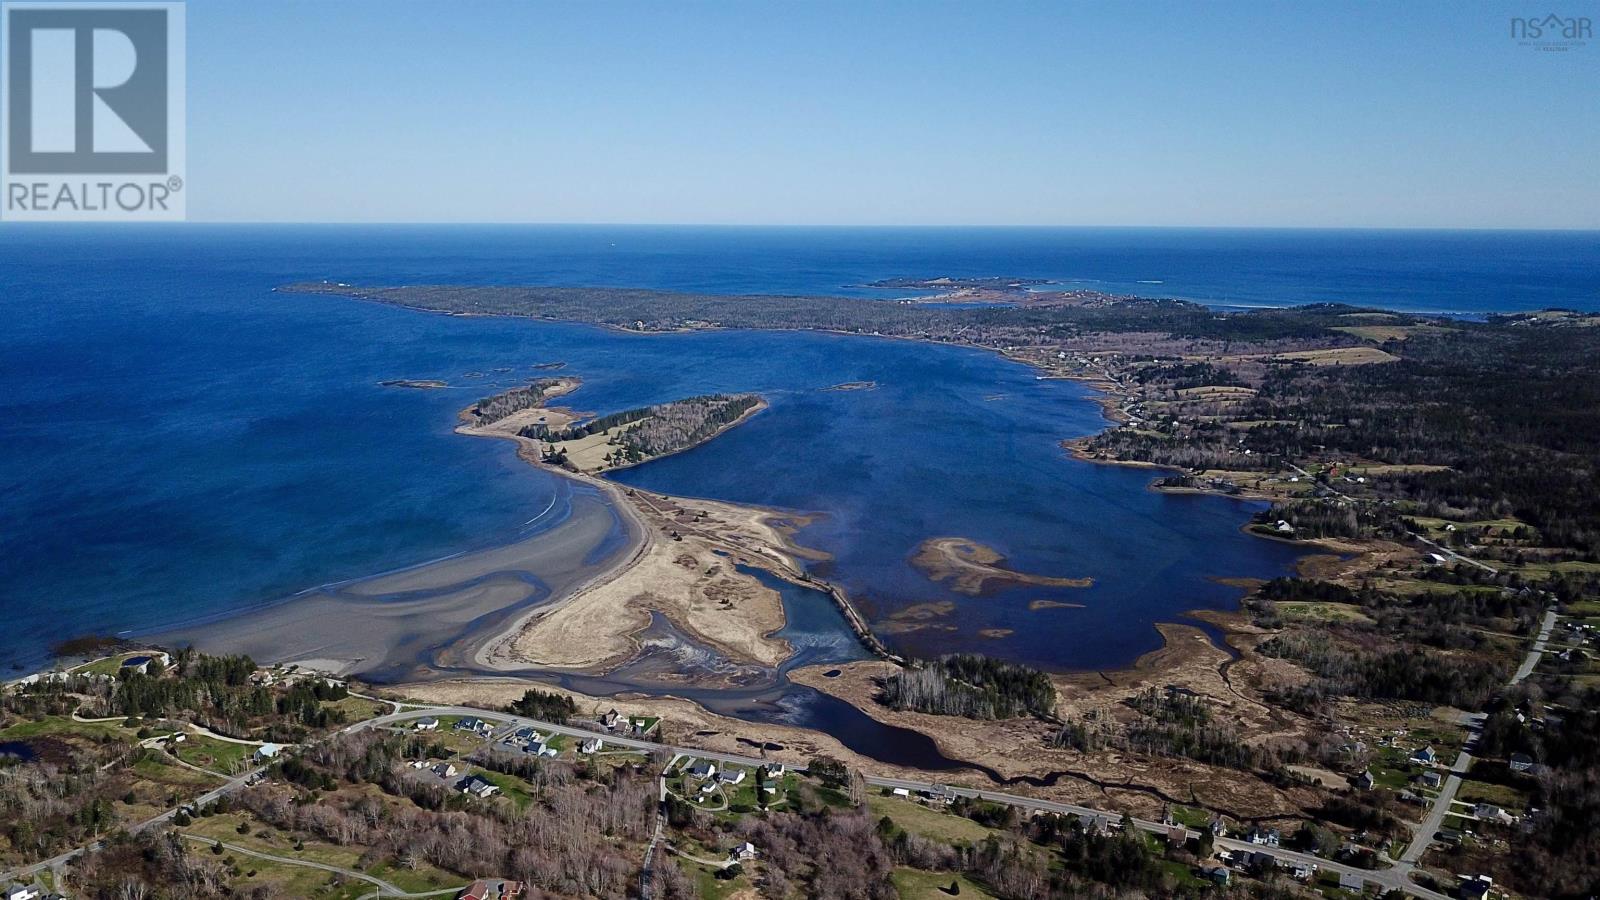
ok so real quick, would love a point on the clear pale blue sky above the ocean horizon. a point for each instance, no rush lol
(817, 113)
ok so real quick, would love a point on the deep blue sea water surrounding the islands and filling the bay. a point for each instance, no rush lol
(177, 441)
